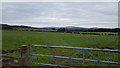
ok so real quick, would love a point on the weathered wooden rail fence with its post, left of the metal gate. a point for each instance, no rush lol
(8, 60)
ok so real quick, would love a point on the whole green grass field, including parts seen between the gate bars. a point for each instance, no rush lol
(14, 39)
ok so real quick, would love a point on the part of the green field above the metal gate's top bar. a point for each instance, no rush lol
(13, 39)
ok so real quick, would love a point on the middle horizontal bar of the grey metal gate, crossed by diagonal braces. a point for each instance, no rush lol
(76, 58)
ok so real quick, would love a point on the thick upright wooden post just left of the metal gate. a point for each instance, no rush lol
(24, 55)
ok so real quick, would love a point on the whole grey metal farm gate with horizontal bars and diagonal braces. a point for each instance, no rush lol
(83, 50)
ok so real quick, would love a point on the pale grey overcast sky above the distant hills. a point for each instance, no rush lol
(47, 14)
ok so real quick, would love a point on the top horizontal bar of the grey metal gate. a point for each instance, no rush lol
(108, 50)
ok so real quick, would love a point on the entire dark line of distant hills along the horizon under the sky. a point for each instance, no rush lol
(6, 26)
